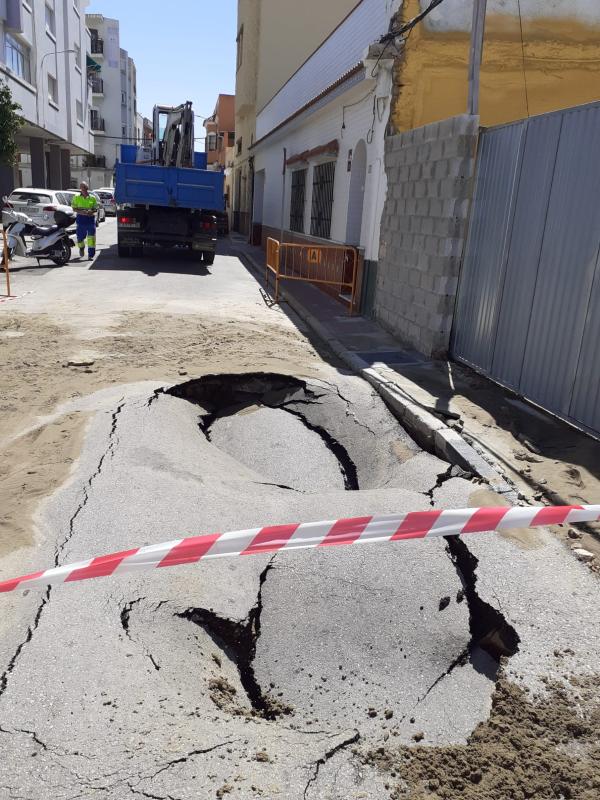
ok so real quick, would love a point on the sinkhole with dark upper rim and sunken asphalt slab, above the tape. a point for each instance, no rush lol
(277, 426)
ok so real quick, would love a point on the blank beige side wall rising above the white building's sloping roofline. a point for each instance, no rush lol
(290, 30)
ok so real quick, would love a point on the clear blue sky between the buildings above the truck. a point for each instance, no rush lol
(183, 49)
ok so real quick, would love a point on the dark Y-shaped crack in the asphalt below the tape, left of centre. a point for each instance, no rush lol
(238, 641)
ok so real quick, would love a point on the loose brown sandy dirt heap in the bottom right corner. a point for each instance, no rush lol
(530, 747)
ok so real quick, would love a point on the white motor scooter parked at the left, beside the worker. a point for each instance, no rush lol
(51, 242)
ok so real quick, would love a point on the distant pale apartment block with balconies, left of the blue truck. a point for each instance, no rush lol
(114, 101)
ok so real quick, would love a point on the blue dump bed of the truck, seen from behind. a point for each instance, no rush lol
(173, 187)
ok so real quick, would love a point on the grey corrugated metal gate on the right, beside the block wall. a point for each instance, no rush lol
(528, 309)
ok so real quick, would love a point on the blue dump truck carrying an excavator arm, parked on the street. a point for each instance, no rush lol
(166, 197)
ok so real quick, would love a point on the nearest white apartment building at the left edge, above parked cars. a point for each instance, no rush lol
(44, 48)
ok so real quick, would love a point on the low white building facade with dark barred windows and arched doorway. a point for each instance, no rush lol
(329, 120)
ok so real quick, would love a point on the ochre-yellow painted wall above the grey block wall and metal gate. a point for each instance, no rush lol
(557, 66)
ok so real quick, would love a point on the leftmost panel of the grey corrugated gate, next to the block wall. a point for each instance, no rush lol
(482, 275)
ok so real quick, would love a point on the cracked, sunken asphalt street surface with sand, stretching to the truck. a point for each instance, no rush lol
(183, 404)
